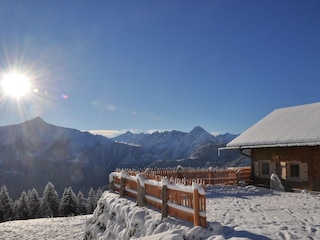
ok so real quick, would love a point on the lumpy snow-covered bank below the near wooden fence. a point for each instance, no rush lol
(120, 219)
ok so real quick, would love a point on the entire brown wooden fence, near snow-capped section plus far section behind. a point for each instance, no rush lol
(175, 192)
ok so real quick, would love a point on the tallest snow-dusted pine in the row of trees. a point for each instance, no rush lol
(50, 201)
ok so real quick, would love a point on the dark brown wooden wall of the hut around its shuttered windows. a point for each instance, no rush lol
(308, 157)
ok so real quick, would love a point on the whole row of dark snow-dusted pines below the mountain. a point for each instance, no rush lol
(31, 205)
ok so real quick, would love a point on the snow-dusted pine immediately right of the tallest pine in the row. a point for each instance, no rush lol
(68, 204)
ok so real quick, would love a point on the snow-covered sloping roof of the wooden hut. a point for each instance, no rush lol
(284, 127)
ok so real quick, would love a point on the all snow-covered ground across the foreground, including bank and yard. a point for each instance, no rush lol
(232, 213)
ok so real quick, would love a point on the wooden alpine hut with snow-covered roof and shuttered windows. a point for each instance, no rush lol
(285, 142)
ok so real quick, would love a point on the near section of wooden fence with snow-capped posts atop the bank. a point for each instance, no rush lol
(187, 202)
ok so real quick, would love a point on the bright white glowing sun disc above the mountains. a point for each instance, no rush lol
(15, 84)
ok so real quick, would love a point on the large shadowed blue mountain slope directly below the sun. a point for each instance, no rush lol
(34, 153)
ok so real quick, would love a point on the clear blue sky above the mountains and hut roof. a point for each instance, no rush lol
(159, 65)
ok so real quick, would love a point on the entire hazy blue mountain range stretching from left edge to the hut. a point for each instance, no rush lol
(35, 152)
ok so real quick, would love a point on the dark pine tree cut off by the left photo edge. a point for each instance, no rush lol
(6, 205)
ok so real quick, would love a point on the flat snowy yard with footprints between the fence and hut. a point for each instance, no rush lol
(259, 213)
